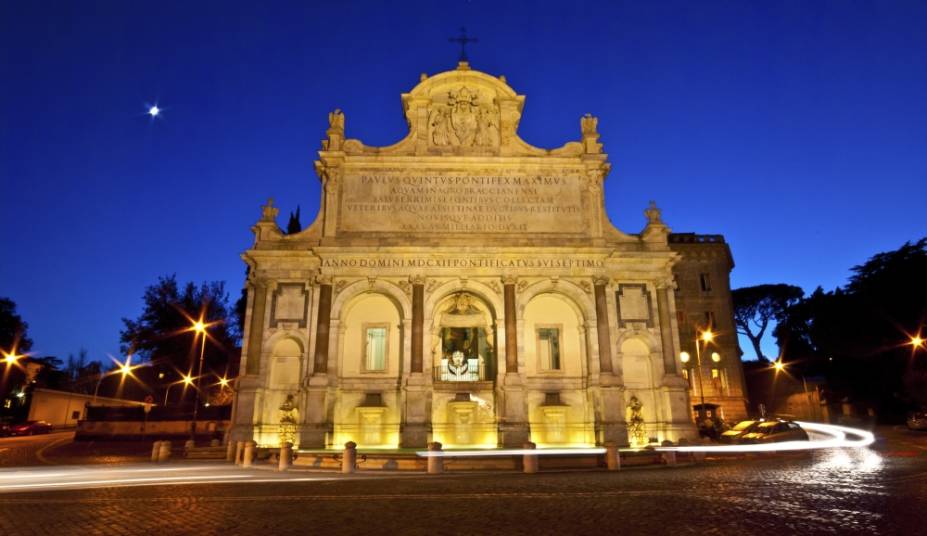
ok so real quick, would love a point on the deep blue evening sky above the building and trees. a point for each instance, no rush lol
(798, 129)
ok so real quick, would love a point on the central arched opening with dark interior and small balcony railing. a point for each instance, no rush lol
(463, 339)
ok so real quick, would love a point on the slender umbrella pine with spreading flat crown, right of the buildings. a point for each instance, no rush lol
(756, 307)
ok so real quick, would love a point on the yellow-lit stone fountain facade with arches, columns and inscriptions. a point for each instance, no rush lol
(461, 286)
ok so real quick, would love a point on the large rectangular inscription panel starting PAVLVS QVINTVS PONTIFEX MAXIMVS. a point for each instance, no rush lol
(461, 203)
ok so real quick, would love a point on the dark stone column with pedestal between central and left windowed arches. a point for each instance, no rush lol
(414, 431)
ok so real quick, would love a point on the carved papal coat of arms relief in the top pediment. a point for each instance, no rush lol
(464, 121)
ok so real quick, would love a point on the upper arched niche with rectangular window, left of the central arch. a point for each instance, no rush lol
(370, 336)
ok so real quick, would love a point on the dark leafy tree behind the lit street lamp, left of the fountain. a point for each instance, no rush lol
(163, 336)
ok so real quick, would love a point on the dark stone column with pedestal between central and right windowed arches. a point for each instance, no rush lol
(513, 430)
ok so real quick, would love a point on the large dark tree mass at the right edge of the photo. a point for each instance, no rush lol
(858, 336)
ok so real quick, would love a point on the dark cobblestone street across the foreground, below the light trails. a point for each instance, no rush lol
(838, 492)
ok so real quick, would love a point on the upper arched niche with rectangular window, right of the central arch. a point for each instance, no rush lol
(553, 336)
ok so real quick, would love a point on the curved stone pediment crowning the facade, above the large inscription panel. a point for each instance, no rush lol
(460, 112)
